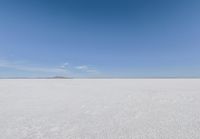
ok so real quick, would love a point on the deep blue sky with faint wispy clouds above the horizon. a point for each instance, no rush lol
(115, 38)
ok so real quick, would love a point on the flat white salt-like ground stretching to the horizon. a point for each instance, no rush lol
(100, 109)
